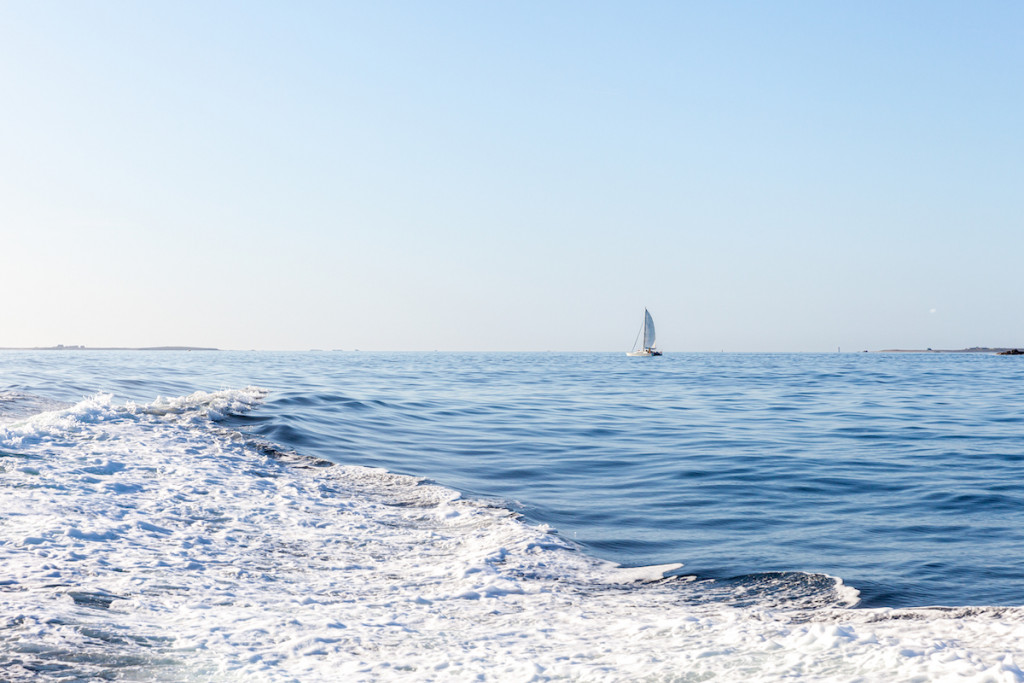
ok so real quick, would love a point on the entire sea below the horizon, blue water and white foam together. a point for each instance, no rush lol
(325, 517)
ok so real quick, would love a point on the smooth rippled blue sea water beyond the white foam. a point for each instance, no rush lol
(899, 474)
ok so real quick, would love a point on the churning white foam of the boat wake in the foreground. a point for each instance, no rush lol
(144, 542)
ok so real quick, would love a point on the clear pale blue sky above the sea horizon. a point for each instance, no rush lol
(785, 177)
